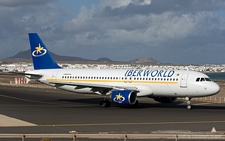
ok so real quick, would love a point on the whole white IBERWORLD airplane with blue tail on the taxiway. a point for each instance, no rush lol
(121, 86)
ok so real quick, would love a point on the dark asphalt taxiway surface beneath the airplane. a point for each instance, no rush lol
(57, 111)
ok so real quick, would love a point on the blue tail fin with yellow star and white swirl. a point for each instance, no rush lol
(40, 55)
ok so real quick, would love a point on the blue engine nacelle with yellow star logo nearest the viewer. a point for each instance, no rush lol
(125, 97)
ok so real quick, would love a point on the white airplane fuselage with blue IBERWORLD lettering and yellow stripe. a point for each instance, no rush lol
(151, 83)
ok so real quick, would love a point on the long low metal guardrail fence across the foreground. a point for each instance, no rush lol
(124, 137)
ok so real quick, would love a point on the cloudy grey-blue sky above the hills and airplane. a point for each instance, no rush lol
(169, 31)
